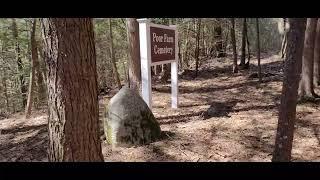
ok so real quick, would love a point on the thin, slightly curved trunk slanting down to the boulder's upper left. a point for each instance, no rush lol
(113, 57)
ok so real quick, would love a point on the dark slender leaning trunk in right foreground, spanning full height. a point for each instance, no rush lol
(287, 111)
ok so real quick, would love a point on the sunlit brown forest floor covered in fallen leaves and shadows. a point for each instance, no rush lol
(222, 117)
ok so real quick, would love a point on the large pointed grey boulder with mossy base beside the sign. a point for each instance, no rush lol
(129, 121)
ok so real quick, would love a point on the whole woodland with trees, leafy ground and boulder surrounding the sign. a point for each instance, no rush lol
(71, 90)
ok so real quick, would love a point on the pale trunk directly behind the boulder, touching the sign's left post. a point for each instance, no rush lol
(134, 52)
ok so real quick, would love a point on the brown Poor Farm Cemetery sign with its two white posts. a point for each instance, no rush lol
(159, 48)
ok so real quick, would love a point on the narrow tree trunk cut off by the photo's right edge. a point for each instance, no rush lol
(317, 56)
